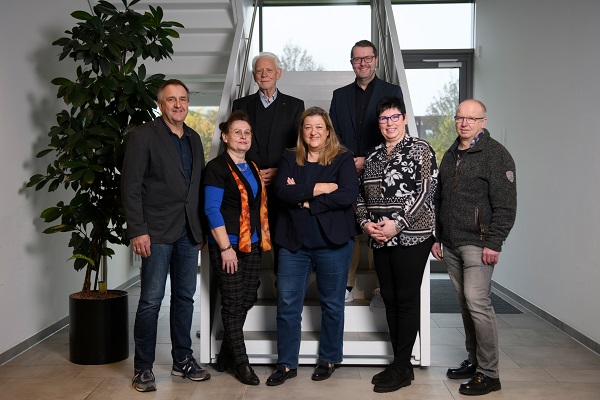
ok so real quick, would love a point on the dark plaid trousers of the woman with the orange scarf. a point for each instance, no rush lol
(238, 293)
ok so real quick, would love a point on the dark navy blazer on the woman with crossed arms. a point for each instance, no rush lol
(334, 211)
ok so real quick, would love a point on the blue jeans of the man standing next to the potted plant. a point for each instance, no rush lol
(180, 259)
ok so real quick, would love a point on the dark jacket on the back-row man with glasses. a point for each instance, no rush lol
(343, 116)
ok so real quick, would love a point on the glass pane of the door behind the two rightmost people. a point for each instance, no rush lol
(434, 96)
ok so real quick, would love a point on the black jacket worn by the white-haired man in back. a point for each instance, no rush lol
(284, 130)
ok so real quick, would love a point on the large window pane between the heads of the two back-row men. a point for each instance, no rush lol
(318, 35)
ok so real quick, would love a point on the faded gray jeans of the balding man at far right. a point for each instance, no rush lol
(472, 280)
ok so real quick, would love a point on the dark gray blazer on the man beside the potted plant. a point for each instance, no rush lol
(156, 196)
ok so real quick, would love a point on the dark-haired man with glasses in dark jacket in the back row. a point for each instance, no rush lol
(354, 119)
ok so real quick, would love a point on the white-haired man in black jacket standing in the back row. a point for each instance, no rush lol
(274, 117)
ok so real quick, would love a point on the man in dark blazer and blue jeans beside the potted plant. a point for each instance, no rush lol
(160, 186)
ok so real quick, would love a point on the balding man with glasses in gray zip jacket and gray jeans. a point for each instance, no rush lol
(476, 204)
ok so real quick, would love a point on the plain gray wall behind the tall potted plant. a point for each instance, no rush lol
(35, 276)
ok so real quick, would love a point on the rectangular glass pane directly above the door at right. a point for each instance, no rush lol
(434, 26)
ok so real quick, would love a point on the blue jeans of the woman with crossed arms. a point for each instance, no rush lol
(295, 267)
